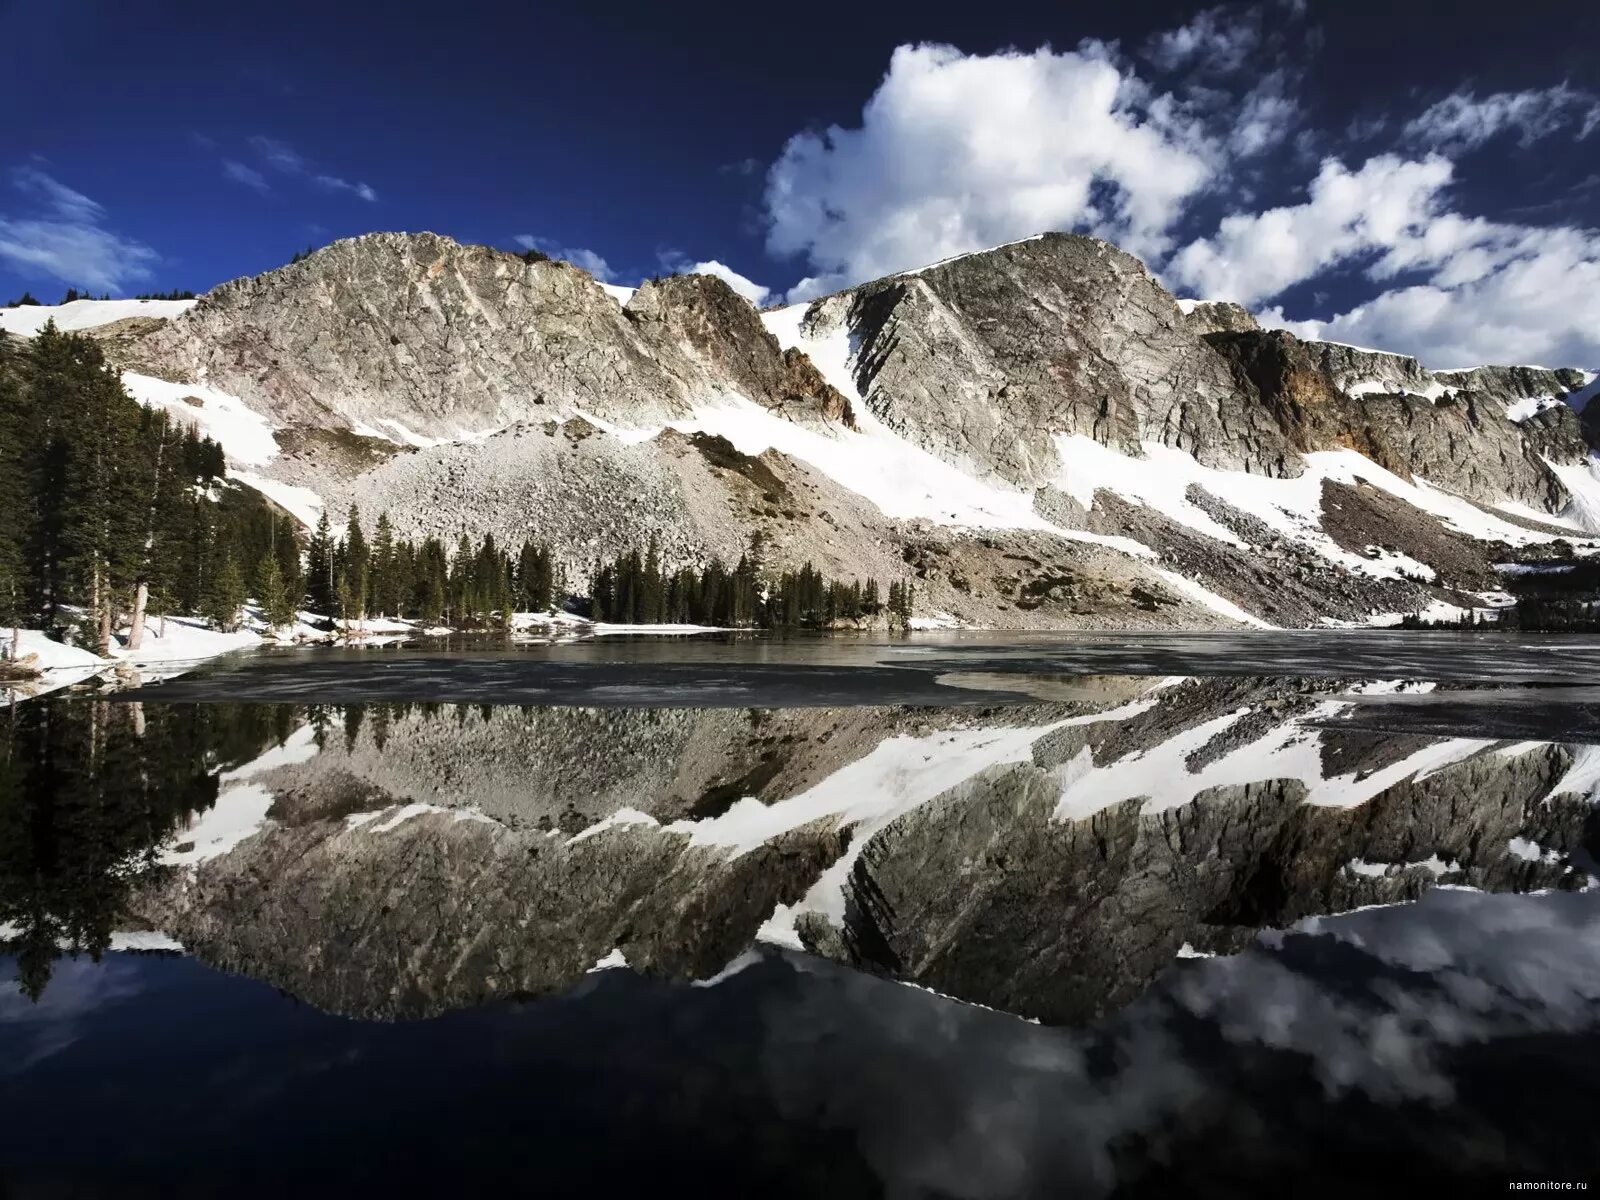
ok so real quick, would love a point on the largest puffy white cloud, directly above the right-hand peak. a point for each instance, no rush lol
(956, 153)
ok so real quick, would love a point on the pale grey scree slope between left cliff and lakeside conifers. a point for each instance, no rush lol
(591, 497)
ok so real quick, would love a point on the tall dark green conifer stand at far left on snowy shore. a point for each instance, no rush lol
(111, 513)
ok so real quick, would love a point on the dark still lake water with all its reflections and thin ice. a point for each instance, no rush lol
(961, 919)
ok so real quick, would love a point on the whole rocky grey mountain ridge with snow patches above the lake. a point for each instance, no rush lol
(1038, 436)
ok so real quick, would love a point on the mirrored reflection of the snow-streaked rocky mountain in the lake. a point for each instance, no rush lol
(1049, 860)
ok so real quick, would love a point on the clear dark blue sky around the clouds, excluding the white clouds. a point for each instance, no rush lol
(642, 132)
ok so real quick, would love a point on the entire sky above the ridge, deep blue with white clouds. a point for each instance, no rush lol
(1410, 180)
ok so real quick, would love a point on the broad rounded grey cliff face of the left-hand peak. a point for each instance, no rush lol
(449, 340)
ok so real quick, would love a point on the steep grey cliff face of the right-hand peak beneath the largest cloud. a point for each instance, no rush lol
(988, 358)
